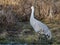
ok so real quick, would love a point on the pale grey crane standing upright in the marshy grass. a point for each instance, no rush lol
(38, 26)
